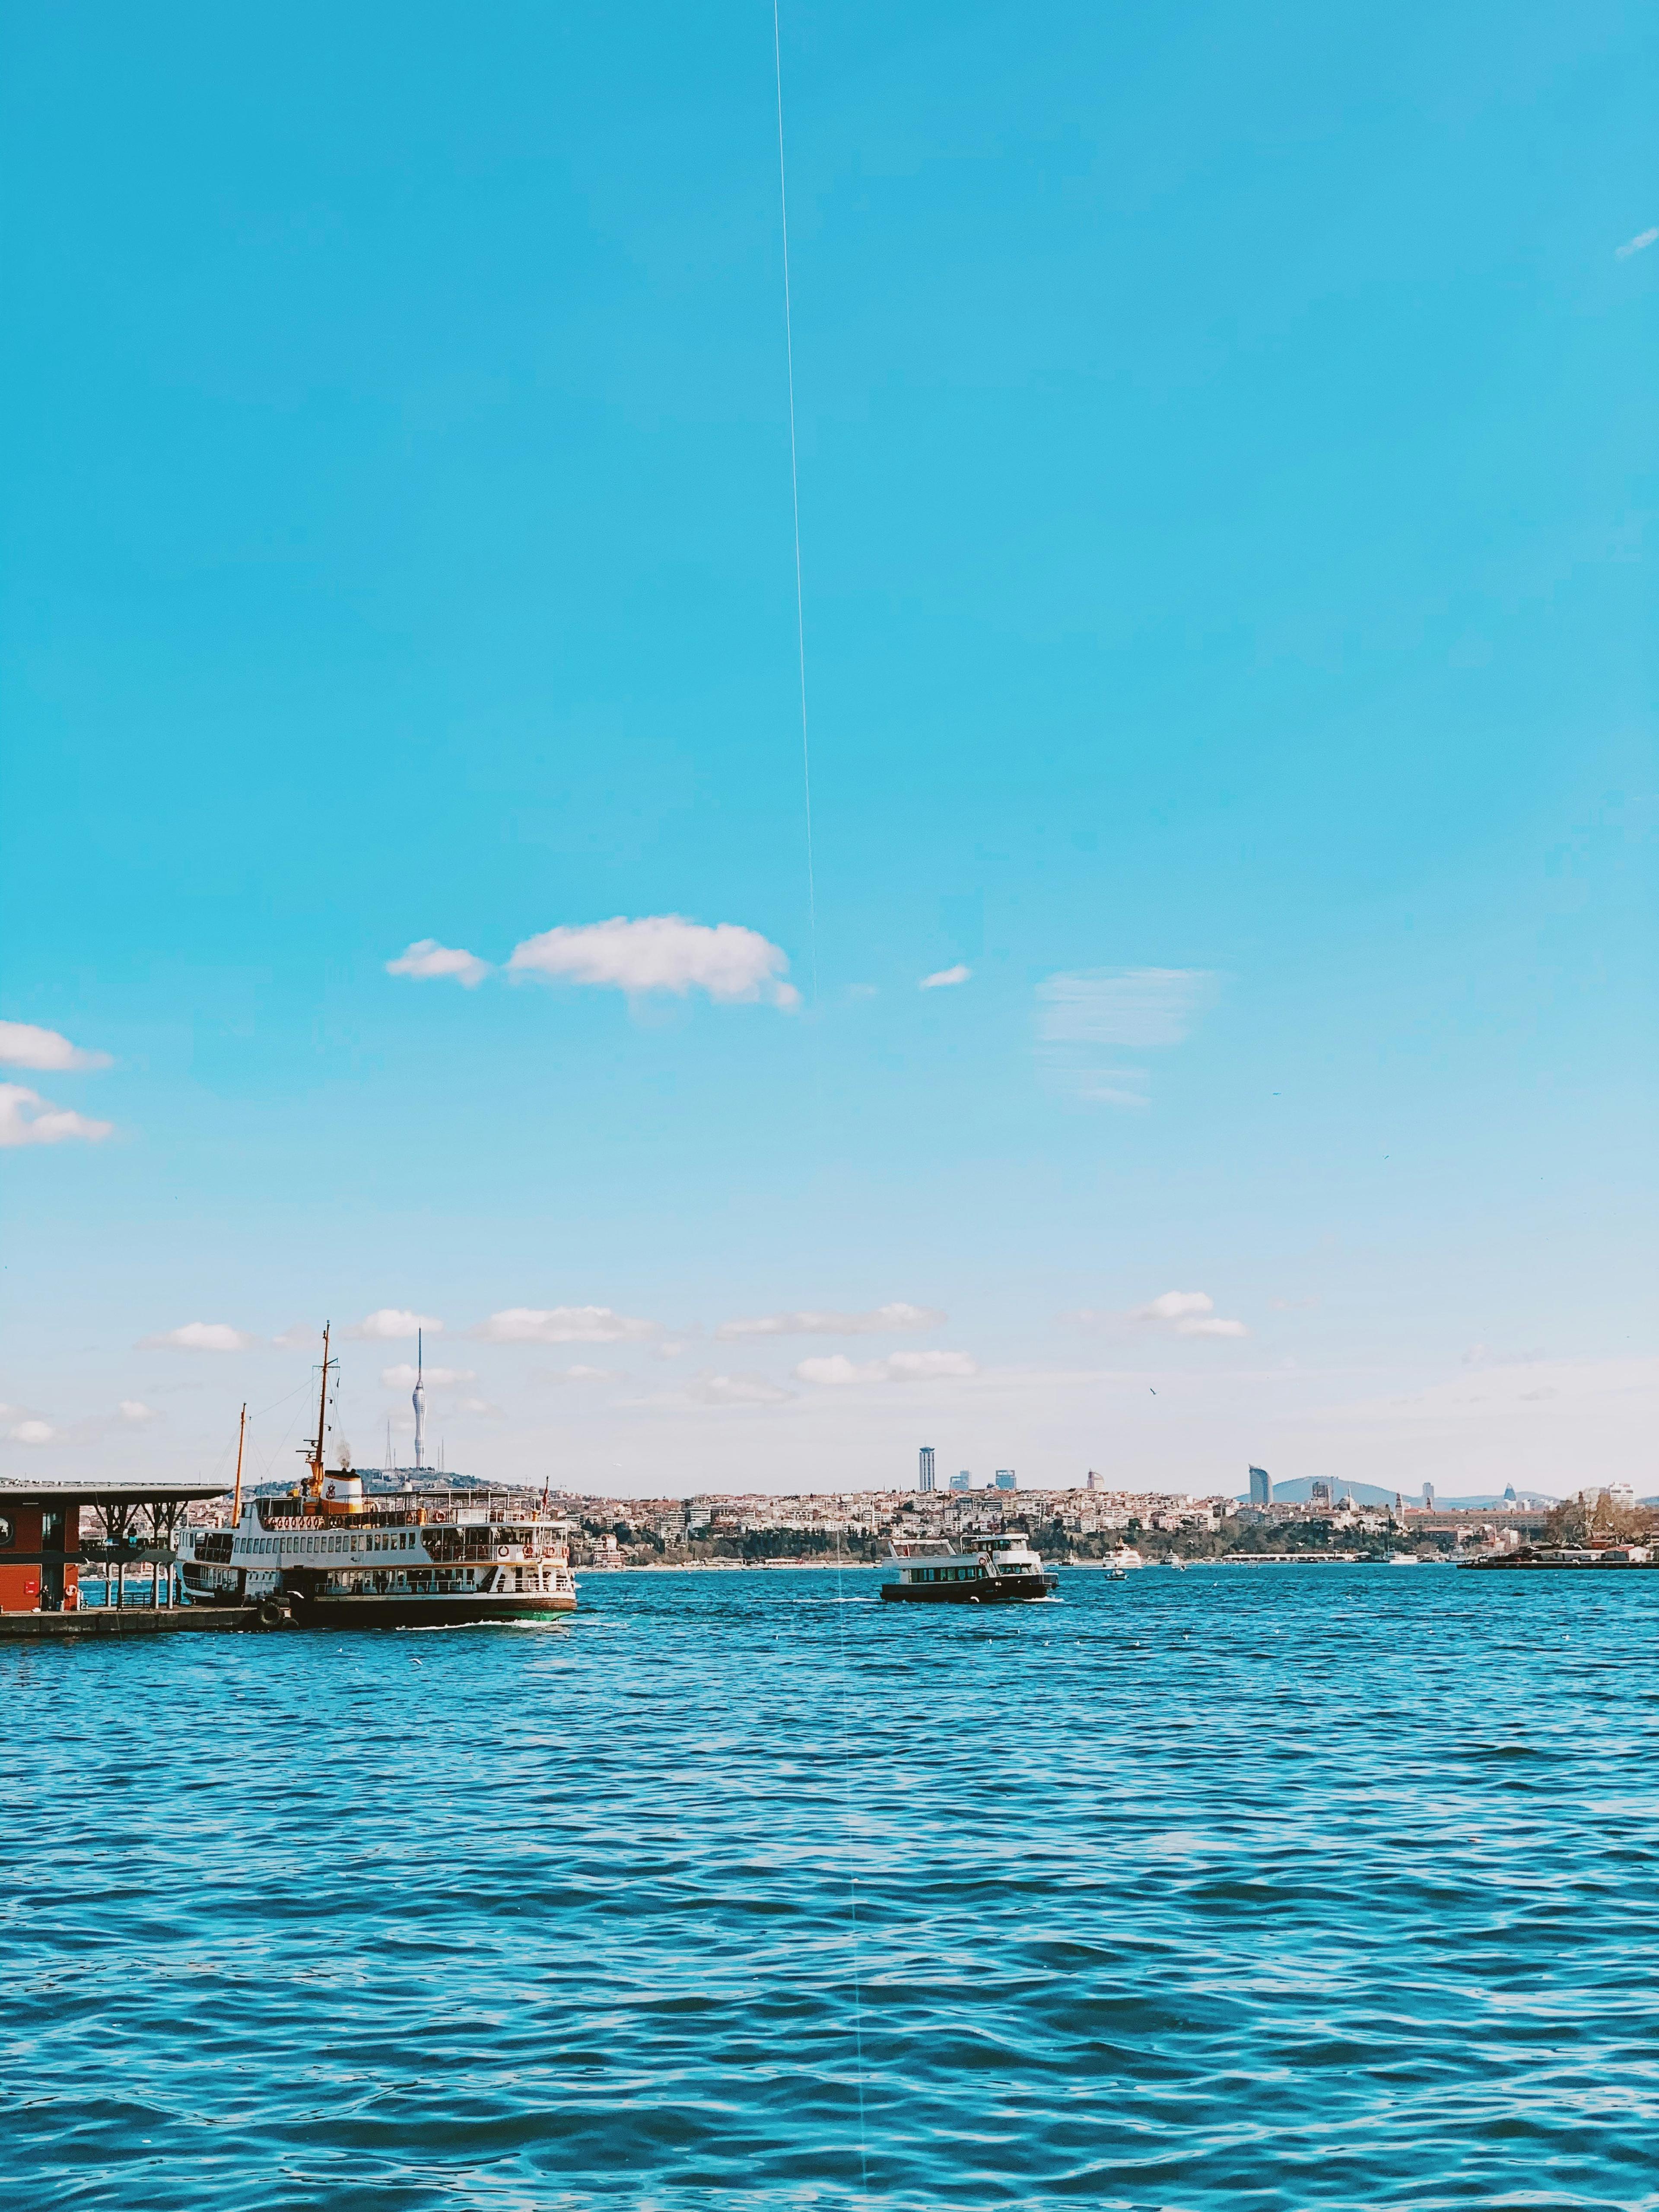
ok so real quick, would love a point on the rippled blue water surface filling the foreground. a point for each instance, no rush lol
(1240, 1888)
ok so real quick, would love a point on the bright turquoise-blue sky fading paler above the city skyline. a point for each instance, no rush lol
(1227, 490)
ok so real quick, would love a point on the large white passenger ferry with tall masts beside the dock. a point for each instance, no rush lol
(331, 1554)
